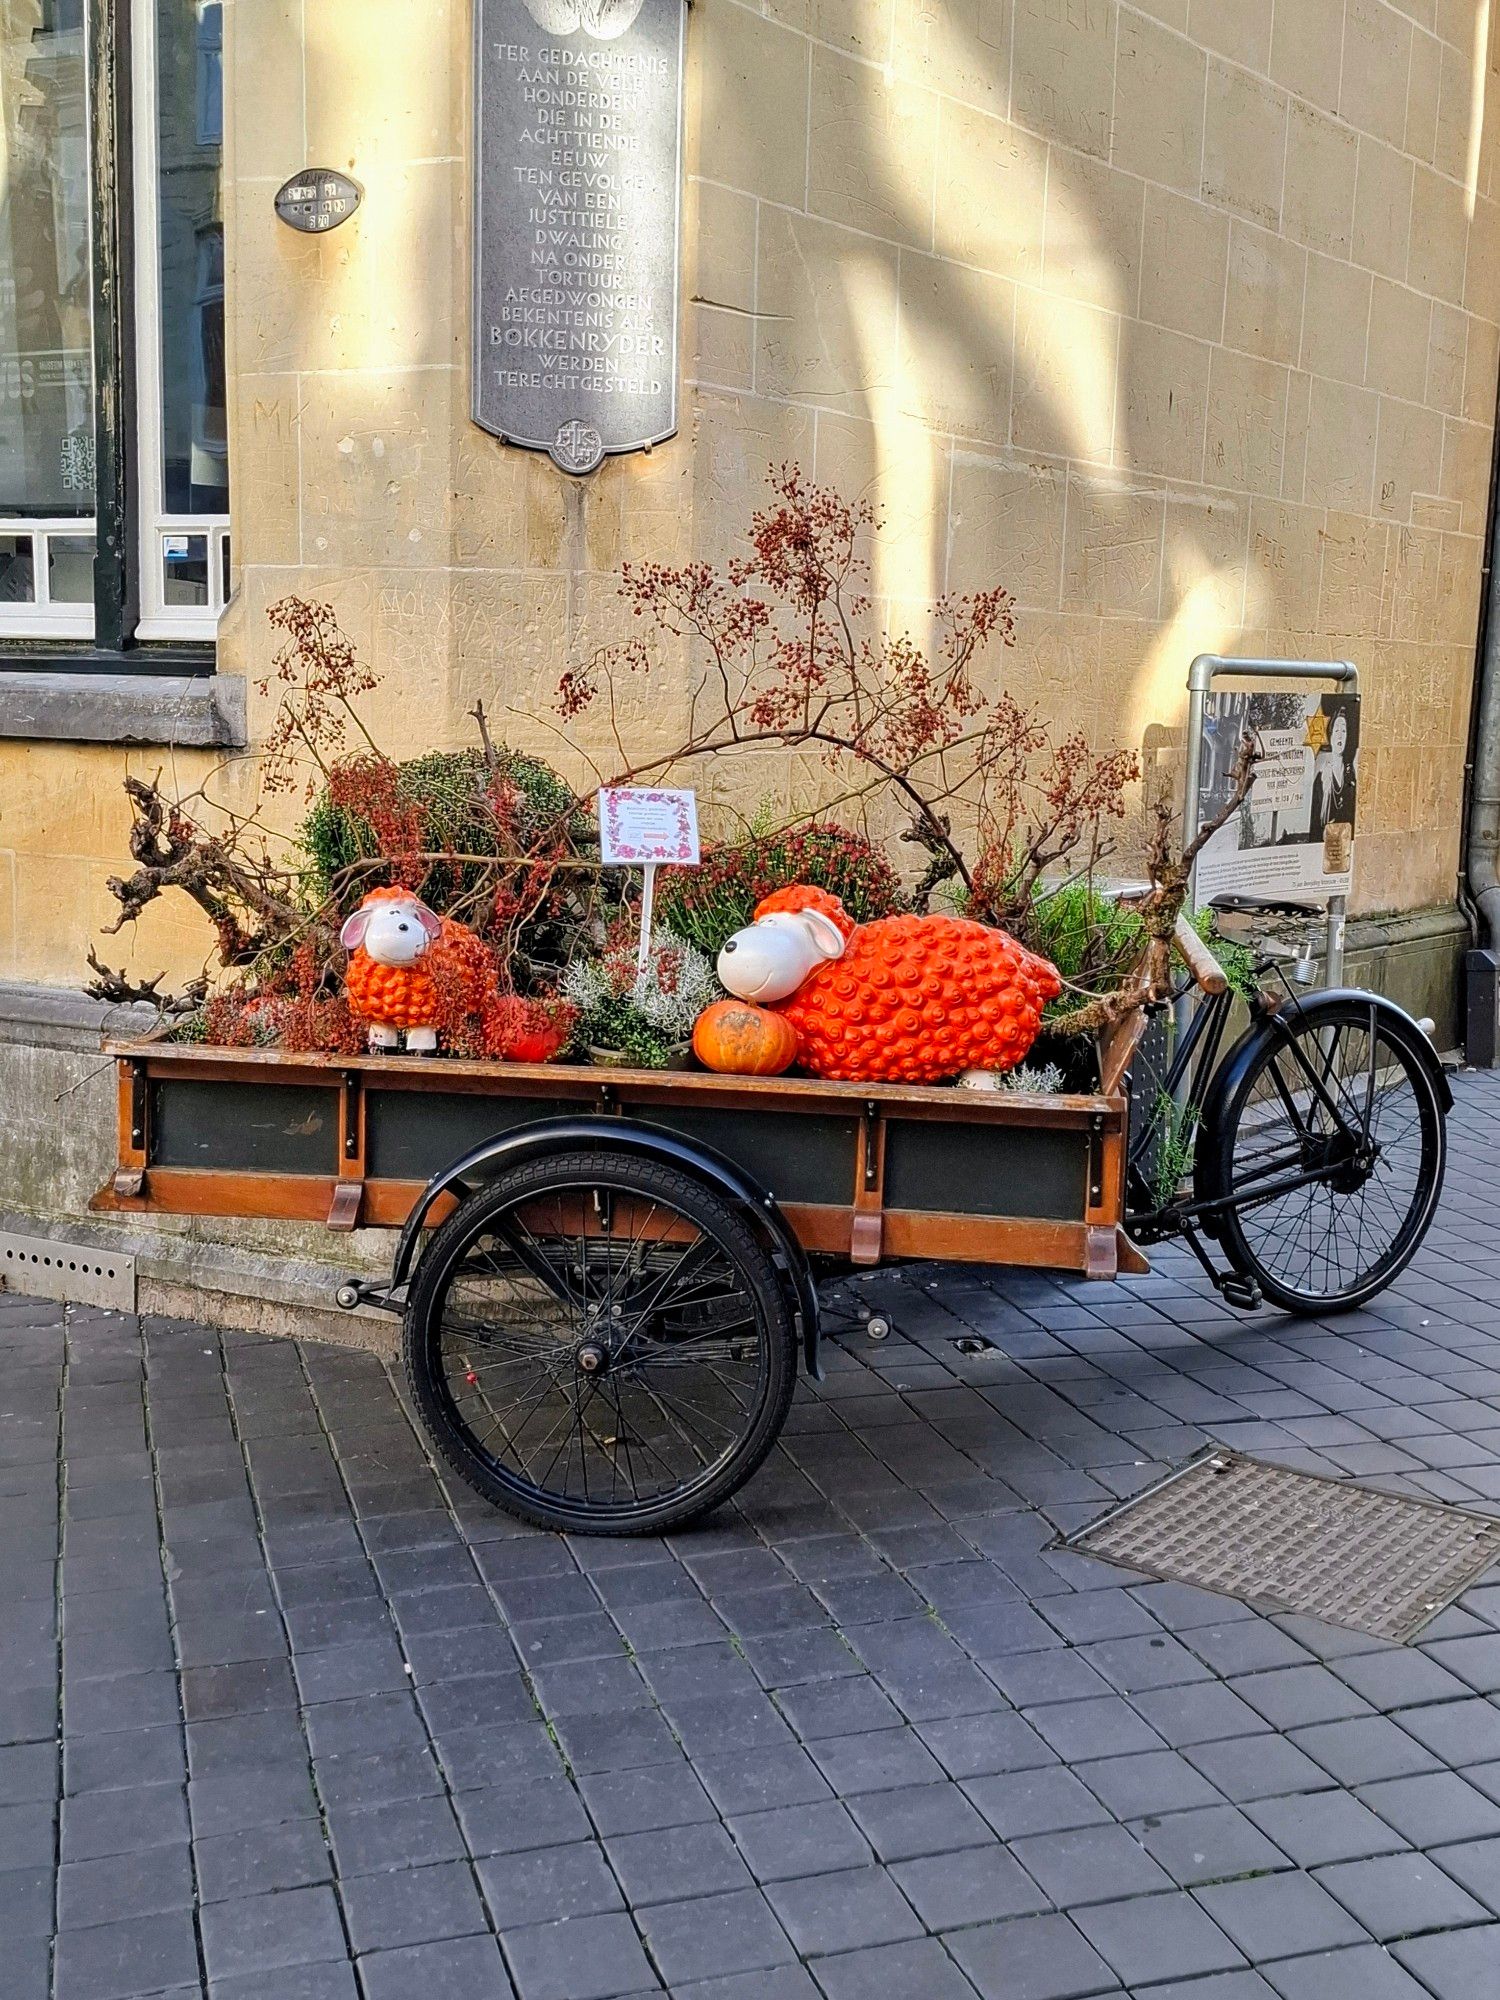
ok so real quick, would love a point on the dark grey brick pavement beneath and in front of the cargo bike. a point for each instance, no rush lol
(333, 1729)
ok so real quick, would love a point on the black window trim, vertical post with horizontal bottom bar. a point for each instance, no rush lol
(117, 499)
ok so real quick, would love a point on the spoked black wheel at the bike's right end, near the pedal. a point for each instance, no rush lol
(1329, 1155)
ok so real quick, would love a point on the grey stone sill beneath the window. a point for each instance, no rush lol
(191, 711)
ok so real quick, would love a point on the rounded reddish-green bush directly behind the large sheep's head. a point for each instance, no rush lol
(711, 903)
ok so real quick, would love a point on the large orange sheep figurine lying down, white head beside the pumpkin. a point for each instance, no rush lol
(907, 999)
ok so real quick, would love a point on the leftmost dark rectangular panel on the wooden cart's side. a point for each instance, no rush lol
(261, 1129)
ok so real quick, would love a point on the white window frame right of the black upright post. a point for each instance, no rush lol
(159, 621)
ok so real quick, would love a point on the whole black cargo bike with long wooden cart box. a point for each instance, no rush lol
(607, 1275)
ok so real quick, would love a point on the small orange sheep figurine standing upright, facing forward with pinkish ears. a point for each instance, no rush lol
(401, 959)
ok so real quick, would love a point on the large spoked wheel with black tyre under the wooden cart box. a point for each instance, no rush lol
(599, 1343)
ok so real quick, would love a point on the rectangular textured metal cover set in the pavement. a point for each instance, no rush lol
(1299, 1543)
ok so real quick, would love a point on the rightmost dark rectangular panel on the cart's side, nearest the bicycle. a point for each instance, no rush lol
(987, 1171)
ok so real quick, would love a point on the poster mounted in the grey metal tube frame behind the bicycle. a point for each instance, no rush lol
(1295, 833)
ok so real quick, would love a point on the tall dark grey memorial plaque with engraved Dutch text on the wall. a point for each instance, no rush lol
(579, 161)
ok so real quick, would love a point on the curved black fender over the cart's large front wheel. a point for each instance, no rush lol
(757, 1207)
